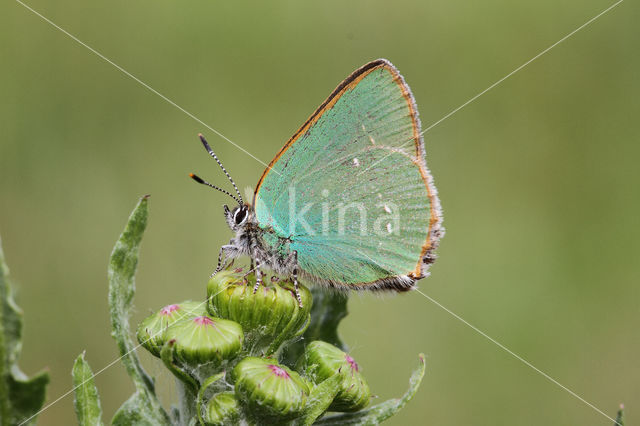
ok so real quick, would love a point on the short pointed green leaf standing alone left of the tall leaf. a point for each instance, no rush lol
(87, 401)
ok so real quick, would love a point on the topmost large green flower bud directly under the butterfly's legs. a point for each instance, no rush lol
(270, 316)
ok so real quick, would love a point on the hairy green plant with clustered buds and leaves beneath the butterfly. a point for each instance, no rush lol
(238, 357)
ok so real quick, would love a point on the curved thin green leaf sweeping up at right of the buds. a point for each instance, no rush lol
(380, 412)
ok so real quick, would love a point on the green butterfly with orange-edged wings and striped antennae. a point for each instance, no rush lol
(348, 202)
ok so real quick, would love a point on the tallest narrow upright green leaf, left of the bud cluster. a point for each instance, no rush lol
(143, 407)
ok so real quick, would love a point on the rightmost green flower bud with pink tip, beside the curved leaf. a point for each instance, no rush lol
(322, 360)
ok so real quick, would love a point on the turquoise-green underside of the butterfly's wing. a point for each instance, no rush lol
(348, 192)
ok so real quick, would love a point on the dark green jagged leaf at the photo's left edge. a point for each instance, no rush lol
(21, 398)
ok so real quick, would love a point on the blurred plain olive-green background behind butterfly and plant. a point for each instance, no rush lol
(539, 181)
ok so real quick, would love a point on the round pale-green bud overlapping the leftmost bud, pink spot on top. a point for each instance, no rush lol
(205, 340)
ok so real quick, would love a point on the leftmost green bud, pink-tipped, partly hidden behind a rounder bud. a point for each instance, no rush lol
(151, 332)
